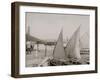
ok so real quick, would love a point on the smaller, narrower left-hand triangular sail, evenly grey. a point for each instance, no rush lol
(59, 52)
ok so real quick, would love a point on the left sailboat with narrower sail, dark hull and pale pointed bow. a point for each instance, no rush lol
(58, 53)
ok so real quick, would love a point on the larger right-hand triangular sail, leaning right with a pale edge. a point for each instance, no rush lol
(73, 47)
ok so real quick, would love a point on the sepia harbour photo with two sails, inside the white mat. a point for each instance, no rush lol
(56, 39)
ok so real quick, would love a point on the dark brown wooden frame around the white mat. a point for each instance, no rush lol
(15, 40)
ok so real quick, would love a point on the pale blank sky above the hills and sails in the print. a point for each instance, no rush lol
(47, 26)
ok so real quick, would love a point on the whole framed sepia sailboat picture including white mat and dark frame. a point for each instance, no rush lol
(53, 39)
